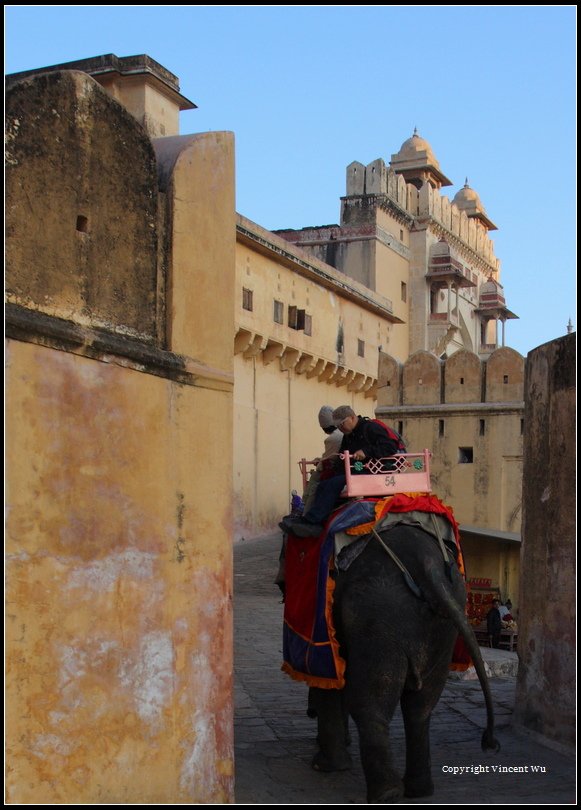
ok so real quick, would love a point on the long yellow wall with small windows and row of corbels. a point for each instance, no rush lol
(283, 376)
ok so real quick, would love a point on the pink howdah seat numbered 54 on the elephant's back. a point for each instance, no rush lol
(405, 472)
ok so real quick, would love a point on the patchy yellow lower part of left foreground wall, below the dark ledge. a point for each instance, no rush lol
(119, 639)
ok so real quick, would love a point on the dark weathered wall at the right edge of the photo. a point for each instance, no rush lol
(545, 694)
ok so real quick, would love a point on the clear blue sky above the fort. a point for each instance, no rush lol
(309, 89)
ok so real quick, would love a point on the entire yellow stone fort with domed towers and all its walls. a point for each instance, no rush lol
(120, 354)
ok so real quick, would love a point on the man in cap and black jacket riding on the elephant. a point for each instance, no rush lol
(364, 439)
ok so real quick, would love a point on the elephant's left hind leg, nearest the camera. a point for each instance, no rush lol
(373, 693)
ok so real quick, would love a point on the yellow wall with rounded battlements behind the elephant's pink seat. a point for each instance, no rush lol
(459, 408)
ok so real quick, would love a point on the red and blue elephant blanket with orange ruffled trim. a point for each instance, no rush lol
(310, 648)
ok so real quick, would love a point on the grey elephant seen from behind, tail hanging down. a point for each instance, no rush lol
(397, 633)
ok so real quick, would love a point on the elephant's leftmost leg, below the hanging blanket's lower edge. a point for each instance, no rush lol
(332, 723)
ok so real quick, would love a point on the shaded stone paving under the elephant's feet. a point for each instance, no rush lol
(275, 740)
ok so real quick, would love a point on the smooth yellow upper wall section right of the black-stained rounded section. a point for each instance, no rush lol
(200, 303)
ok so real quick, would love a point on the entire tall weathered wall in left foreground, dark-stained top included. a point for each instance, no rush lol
(119, 457)
